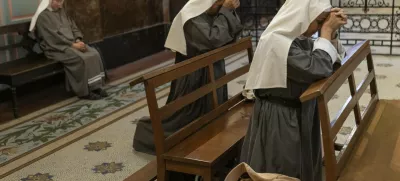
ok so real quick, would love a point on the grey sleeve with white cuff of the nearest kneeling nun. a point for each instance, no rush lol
(306, 67)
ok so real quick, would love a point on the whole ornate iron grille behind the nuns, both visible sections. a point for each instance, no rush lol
(376, 20)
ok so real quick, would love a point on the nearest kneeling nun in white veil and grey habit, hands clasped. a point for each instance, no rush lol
(284, 134)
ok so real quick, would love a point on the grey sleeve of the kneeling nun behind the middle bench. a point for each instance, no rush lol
(220, 32)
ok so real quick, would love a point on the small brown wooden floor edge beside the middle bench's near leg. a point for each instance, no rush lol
(146, 173)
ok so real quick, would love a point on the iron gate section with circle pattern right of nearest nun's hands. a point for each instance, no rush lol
(376, 20)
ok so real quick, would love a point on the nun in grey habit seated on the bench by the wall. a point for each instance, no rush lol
(60, 40)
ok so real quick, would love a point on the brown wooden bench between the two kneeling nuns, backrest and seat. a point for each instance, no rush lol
(209, 142)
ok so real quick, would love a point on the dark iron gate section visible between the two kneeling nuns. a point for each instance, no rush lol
(256, 15)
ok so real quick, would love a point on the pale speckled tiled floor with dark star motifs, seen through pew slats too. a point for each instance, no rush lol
(107, 153)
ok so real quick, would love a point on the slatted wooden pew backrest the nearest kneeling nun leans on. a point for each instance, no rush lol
(324, 90)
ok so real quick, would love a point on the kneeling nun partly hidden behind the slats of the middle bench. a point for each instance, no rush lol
(201, 26)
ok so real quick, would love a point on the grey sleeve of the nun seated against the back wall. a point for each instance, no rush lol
(48, 32)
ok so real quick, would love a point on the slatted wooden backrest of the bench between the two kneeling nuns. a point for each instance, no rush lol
(162, 76)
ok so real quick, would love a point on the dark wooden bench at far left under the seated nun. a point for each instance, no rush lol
(24, 70)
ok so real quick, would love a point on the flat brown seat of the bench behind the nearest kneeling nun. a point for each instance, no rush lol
(210, 142)
